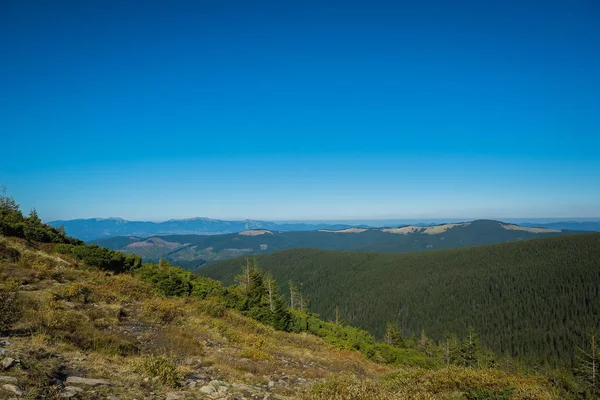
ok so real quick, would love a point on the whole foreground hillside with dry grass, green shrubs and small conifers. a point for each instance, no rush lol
(75, 330)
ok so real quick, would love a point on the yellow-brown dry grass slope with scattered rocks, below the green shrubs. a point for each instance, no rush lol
(81, 321)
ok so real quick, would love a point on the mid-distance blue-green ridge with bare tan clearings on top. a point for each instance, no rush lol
(192, 251)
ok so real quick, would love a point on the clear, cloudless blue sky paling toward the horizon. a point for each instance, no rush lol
(301, 109)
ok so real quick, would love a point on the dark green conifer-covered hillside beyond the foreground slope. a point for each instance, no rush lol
(534, 299)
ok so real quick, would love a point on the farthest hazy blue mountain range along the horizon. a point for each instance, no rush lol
(96, 228)
